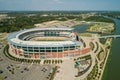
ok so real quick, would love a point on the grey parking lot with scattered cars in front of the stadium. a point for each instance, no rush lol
(12, 70)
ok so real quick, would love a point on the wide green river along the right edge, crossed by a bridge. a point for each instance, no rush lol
(112, 72)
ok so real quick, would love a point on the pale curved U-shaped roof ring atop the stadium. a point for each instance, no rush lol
(13, 38)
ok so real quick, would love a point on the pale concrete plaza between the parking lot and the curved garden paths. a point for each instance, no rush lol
(67, 71)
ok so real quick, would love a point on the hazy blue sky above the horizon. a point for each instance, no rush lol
(47, 5)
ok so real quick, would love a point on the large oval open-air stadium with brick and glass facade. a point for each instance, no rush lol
(42, 43)
